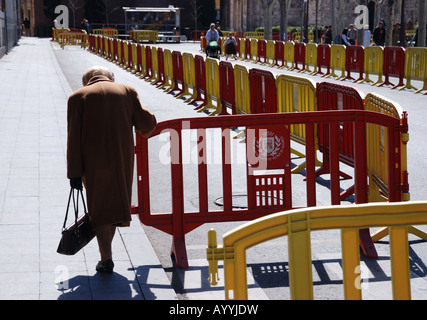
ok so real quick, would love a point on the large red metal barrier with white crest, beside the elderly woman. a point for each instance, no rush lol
(267, 139)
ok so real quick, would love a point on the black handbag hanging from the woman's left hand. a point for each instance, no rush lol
(80, 233)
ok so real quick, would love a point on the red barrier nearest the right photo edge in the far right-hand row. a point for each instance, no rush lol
(394, 65)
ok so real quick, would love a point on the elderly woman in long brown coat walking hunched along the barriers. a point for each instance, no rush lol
(100, 151)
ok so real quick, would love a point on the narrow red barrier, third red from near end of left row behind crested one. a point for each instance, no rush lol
(226, 83)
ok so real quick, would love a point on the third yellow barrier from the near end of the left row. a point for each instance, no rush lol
(242, 89)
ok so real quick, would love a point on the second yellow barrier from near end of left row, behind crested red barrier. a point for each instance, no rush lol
(297, 94)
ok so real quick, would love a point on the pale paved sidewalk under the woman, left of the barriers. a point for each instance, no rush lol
(34, 191)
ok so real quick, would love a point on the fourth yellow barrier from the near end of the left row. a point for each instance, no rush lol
(212, 87)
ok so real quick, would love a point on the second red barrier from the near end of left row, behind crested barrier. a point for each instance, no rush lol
(263, 91)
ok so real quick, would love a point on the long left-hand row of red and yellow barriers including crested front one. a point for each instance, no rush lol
(222, 86)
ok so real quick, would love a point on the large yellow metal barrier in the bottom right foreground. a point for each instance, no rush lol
(298, 224)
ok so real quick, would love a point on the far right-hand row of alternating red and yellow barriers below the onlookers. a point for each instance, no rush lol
(339, 61)
